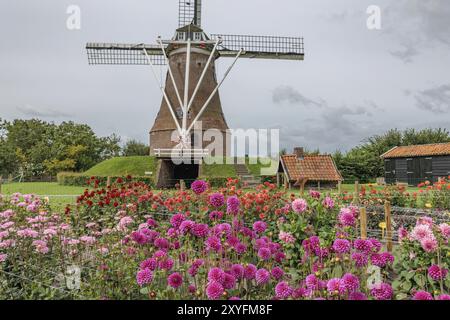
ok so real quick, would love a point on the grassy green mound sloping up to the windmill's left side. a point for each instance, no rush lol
(120, 166)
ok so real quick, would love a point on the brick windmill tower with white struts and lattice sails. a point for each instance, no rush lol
(191, 88)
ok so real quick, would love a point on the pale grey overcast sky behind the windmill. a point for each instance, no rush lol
(354, 82)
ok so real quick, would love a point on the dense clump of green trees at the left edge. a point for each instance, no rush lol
(37, 148)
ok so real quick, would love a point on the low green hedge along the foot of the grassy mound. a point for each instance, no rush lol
(81, 180)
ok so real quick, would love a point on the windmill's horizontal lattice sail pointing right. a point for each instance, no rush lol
(262, 47)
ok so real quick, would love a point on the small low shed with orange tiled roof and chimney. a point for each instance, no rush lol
(308, 171)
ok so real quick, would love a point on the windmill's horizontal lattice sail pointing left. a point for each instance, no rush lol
(124, 54)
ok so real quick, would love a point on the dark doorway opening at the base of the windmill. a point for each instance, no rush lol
(171, 174)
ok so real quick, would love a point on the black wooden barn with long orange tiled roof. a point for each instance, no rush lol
(416, 164)
